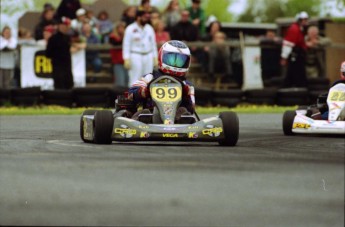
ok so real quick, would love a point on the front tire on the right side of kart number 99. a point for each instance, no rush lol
(230, 127)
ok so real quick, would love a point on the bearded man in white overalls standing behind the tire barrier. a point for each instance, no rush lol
(139, 47)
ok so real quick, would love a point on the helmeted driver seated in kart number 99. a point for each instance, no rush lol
(174, 59)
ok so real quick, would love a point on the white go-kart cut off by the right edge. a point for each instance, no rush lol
(301, 121)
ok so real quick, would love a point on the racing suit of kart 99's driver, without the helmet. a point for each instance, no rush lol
(140, 94)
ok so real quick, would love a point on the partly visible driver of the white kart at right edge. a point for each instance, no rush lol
(322, 106)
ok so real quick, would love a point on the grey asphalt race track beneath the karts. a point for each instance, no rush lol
(49, 177)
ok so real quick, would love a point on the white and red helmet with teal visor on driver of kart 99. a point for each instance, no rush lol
(174, 58)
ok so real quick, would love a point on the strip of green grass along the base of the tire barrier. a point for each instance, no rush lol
(58, 110)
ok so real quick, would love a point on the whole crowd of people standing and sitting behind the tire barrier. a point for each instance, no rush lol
(141, 30)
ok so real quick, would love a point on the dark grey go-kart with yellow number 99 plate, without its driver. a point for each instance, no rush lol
(105, 126)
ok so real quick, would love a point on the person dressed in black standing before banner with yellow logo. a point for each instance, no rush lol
(59, 50)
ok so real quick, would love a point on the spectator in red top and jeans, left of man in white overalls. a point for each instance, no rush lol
(116, 39)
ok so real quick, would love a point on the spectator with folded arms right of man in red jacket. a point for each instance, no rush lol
(315, 59)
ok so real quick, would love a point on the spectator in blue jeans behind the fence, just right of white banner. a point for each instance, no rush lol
(92, 56)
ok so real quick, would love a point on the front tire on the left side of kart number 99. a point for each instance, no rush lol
(103, 125)
